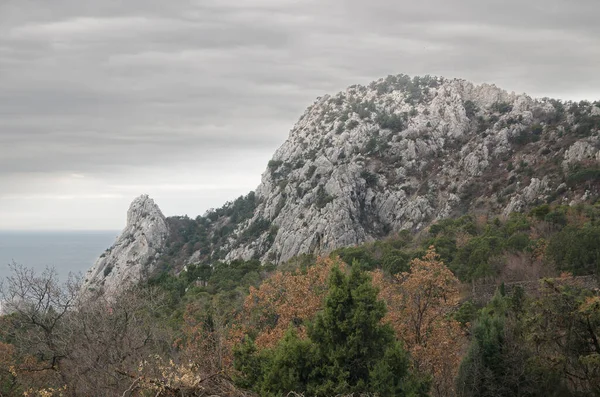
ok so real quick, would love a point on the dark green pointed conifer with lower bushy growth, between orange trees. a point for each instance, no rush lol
(348, 349)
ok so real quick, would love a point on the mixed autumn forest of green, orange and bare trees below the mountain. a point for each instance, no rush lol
(402, 316)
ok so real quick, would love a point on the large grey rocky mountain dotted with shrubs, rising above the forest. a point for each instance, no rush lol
(397, 154)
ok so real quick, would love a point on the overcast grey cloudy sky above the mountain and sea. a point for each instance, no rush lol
(186, 100)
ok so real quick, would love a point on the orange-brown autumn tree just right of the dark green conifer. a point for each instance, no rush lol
(419, 304)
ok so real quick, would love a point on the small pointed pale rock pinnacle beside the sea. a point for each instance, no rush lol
(135, 252)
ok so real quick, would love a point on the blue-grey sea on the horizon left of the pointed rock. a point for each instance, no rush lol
(65, 251)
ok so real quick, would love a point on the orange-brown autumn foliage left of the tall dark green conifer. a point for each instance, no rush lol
(284, 299)
